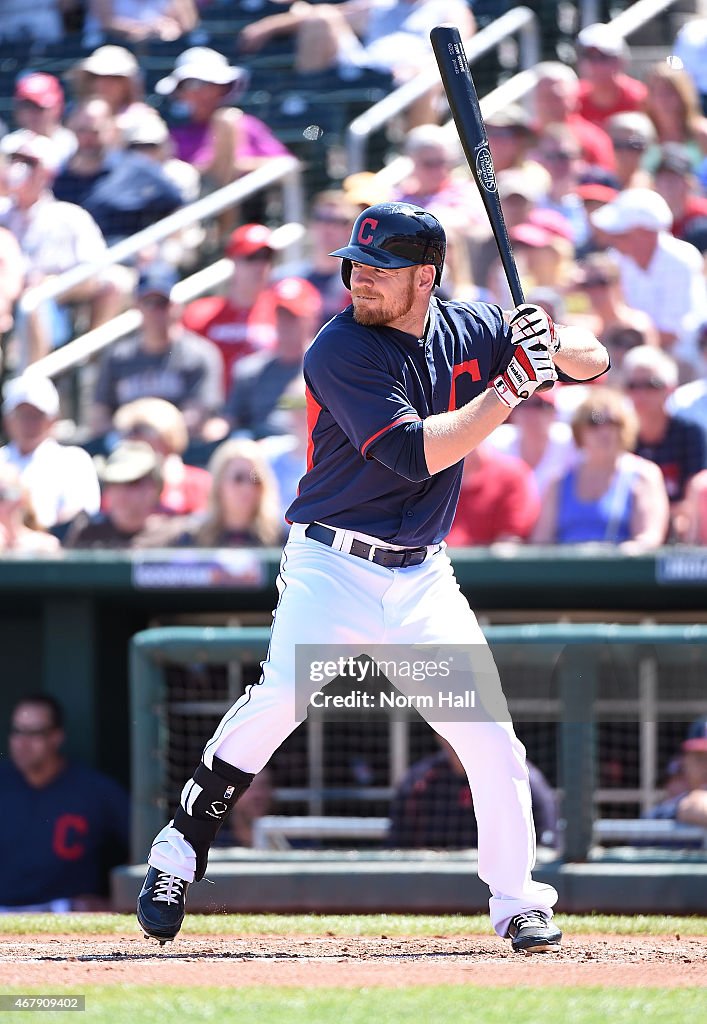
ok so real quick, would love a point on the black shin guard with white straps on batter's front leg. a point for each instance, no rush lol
(205, 805)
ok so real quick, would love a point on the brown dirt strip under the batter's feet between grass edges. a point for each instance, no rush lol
(669, 961)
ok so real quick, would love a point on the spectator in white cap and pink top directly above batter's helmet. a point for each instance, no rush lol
(433, 183)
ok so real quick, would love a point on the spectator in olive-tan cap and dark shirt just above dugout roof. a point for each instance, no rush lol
(133, 517)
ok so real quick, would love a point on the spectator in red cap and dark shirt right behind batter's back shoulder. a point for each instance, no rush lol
(261, 380)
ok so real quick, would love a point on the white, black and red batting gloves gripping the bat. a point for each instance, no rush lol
(536, 342)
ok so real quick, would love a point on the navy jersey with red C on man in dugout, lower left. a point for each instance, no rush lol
(59, 841)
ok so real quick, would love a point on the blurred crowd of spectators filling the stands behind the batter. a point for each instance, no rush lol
(197, 419)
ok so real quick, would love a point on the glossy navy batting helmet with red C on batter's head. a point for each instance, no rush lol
(395, 235)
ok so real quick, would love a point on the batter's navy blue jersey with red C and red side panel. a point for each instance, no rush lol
(369, 390)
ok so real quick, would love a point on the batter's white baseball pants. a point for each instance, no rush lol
(330, 598)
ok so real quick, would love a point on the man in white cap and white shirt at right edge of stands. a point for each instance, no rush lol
(660, 275)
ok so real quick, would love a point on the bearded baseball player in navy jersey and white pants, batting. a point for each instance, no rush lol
(400, 387)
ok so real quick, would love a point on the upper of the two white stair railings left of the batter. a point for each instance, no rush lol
(285, 170)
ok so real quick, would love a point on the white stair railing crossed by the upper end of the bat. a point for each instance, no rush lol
(521, 21)
